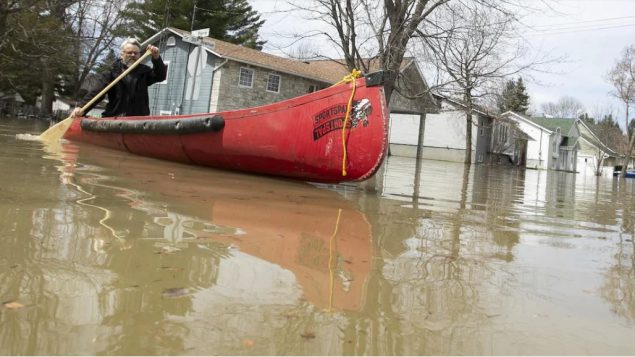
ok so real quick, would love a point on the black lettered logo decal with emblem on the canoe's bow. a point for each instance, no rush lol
(332, 118)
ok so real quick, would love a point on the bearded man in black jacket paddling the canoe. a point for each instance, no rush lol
(129, 97)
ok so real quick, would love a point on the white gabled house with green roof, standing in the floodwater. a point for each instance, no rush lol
(552, 144)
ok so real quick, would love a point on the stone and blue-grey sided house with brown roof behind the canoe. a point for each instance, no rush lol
(208, 75)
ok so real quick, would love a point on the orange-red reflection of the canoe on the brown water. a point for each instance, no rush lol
(312, 232)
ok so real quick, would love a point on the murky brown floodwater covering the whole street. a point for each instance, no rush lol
(107, 253)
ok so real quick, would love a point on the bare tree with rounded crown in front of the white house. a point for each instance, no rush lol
(475, 47)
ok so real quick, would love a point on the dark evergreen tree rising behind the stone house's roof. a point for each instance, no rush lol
(229, 20)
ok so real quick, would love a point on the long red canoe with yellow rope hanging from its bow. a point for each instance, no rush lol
(300, 138)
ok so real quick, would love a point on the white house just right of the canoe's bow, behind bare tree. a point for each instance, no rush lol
(444, 134)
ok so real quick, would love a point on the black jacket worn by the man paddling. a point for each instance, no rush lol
(129, 96)
